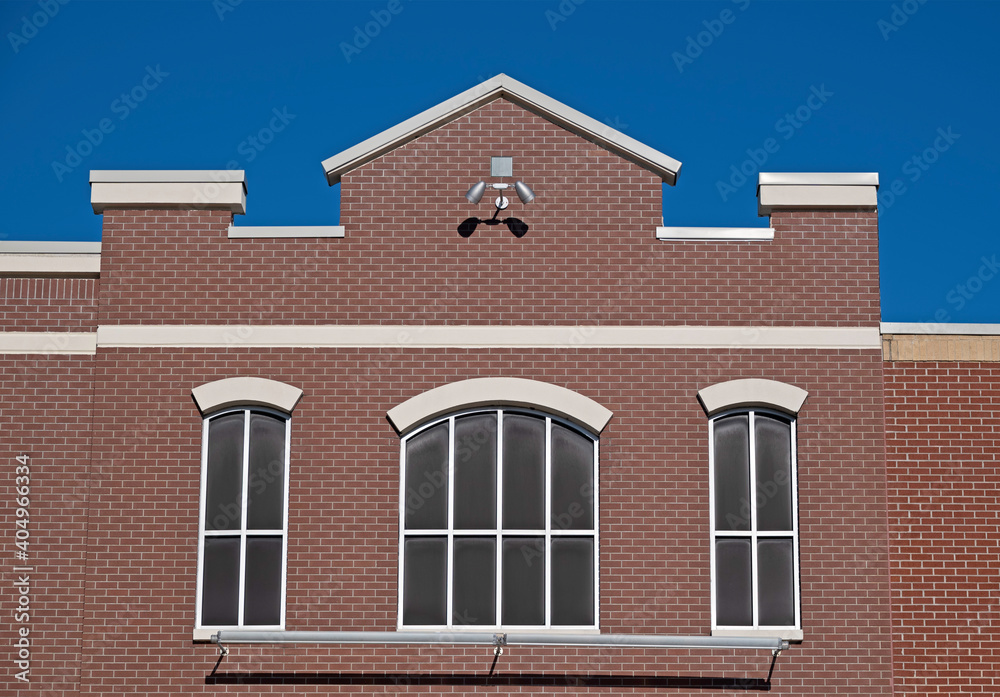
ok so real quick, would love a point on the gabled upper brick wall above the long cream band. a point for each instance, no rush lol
(590, 255)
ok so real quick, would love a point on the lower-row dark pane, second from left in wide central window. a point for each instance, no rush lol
(474, 590)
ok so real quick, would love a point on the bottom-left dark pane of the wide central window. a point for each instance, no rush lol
(425, 575)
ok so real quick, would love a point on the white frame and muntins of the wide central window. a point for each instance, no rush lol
(548, 532)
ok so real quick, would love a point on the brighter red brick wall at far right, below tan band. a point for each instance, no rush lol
(942, 440)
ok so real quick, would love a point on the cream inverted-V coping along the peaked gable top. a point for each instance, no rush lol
(510, 89)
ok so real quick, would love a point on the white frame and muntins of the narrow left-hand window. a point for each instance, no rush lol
(242, 532)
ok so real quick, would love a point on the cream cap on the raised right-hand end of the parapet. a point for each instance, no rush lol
(816, 190)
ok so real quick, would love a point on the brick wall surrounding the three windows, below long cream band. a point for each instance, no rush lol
(342, 570)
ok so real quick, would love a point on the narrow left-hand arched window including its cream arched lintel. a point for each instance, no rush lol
(243, 511)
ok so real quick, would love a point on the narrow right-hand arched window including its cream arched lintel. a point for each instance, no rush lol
(754, 506)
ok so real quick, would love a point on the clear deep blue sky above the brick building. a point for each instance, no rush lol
(908, 89)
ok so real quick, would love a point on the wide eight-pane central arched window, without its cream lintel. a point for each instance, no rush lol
(499, 522)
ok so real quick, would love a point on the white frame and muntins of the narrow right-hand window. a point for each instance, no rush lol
(789, 631)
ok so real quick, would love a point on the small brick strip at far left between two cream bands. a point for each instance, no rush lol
(48, 304)
